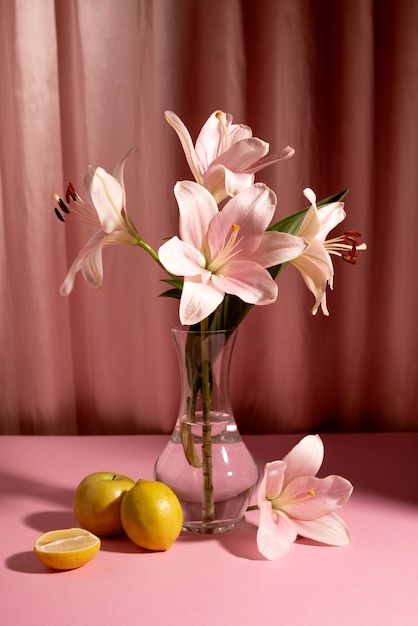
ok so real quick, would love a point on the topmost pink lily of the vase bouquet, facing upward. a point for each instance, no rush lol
(226, 155)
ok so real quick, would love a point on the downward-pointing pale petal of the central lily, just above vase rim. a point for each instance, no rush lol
(198, 300)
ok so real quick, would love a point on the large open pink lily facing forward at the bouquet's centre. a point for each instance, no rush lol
(225, 251)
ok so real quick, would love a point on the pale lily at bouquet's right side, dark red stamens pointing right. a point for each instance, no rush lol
(315, 263)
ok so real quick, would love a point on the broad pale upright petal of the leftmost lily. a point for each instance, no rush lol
(107, 196)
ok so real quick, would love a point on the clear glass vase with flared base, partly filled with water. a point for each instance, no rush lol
(205, 462)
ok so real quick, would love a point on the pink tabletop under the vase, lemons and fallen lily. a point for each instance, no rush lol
(212, 580)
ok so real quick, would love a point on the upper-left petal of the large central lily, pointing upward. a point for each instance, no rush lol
(197, 207)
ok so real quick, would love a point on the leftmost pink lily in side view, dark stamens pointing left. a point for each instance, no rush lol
(107, 212)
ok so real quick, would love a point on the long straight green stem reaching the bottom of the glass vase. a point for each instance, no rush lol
(208, 505)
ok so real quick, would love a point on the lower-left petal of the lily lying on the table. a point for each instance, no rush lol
(276, 532)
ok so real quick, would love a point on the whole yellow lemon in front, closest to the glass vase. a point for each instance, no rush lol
(151, 515)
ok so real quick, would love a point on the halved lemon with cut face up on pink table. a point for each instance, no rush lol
(66, 549)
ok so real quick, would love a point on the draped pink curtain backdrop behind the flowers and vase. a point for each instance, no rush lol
(82, 82)
